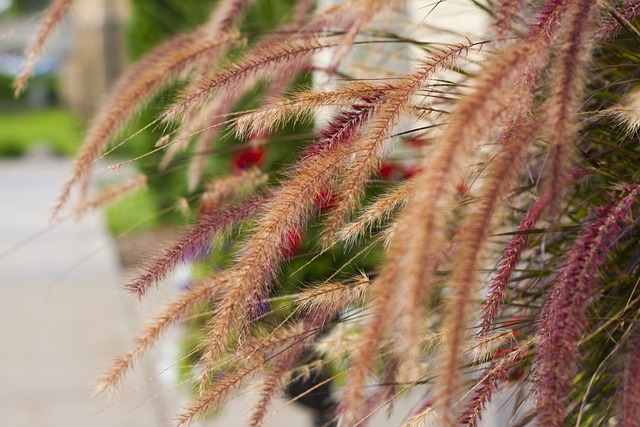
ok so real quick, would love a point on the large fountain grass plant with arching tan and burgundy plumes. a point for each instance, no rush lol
(488, 193)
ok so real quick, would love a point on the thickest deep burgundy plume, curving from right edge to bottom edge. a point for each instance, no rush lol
(562, 317)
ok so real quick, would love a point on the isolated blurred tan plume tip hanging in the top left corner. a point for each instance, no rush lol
(52, 17)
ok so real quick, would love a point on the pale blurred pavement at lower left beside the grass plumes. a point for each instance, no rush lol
(63, 316)
